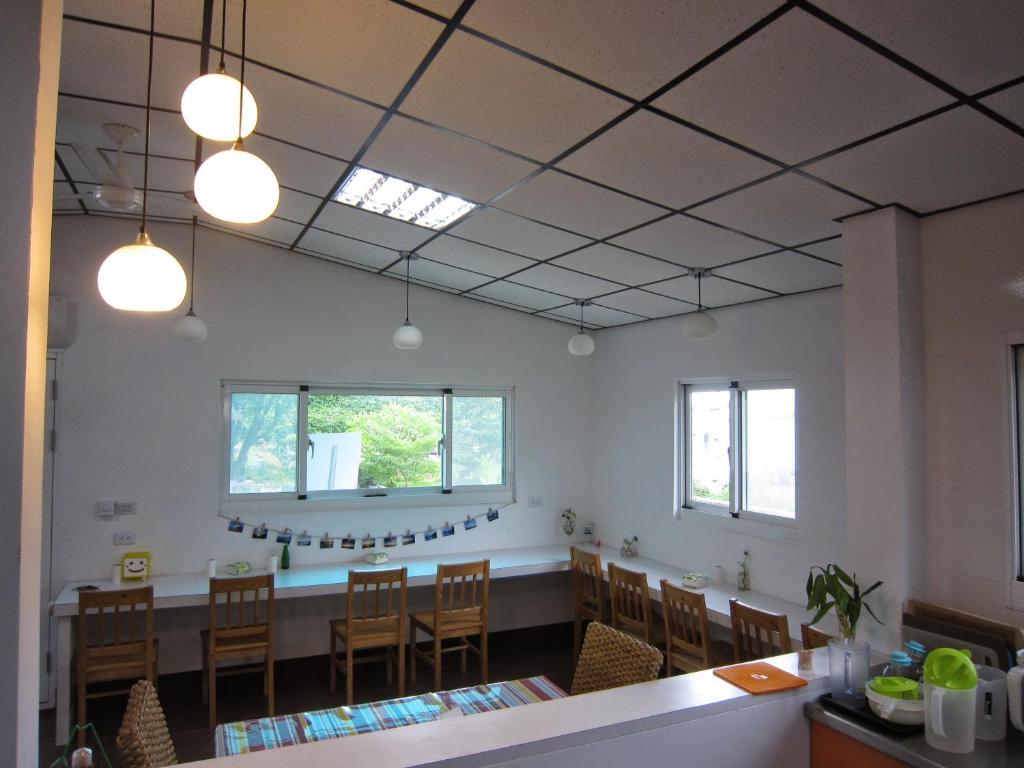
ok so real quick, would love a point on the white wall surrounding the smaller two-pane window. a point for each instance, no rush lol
(635, 383)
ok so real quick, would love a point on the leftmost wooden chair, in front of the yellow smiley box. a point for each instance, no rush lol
(116, 642)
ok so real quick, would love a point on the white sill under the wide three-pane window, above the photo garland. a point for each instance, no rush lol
(405, 501)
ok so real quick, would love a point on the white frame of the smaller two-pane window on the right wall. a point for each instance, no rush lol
(736, 510)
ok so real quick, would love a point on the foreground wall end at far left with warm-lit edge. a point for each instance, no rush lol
(30, 50)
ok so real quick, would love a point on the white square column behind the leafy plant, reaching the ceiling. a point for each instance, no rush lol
(883, 370)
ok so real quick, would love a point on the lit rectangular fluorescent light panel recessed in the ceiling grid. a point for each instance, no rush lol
(402, 200)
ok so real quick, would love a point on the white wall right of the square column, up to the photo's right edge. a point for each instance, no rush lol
(973, 275)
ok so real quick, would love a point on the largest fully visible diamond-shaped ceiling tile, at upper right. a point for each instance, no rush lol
(799, 89)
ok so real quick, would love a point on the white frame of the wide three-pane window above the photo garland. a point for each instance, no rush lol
(444, 495)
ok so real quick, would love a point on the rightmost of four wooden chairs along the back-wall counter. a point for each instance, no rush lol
(460, 612)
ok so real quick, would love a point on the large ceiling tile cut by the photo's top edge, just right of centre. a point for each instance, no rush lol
(634, 48)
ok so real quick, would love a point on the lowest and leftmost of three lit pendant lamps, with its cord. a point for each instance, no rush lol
(141, 277)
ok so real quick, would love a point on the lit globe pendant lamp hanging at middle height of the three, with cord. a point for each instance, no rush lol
(235, 185)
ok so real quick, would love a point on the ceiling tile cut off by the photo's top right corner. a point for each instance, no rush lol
(970, 46)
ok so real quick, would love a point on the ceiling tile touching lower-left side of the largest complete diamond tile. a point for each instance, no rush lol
(659, 160)
